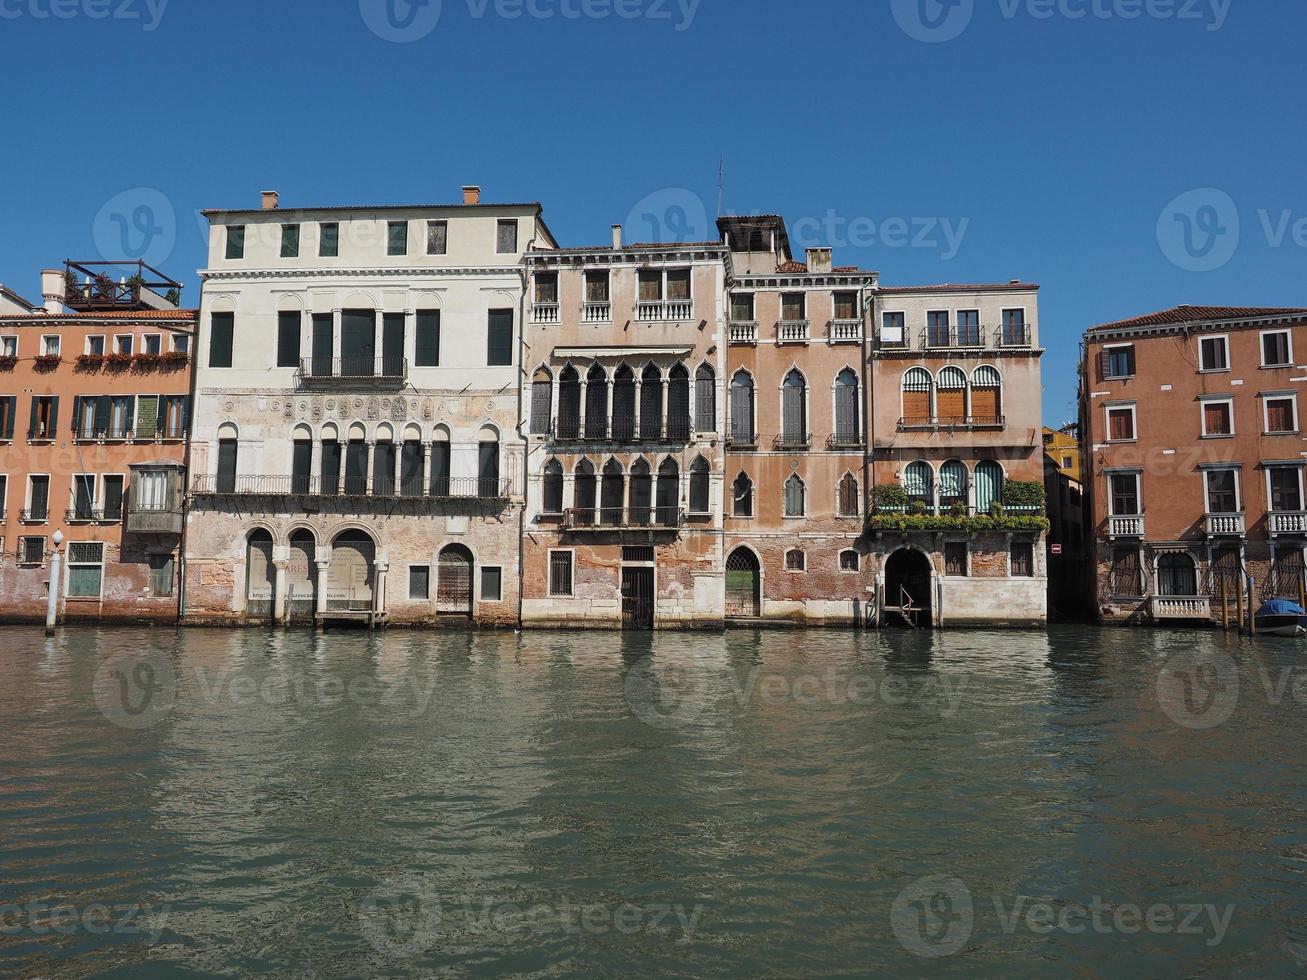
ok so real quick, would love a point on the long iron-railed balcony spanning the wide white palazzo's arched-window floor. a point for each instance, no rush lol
(350, 489)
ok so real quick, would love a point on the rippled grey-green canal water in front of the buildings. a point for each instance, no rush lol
(753, 804)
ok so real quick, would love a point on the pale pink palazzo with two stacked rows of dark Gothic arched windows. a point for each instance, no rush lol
(624, 356)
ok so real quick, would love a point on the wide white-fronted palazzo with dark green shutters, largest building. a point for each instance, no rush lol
(357, 454)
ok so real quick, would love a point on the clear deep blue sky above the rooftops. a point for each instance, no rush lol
(1048, 140)
